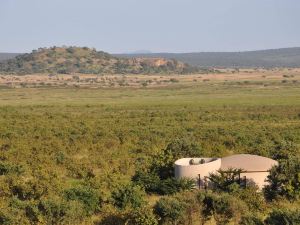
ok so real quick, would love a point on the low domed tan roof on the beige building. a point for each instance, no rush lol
(247, 162)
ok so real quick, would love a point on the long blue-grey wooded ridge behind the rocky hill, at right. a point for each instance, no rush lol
(285, 57)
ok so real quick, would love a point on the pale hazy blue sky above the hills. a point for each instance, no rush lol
(119, 26)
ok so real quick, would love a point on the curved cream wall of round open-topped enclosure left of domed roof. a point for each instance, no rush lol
(184, 169)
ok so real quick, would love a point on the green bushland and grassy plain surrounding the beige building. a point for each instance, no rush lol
(80, 156)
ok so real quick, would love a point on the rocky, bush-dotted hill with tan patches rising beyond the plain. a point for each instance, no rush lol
(66, 60)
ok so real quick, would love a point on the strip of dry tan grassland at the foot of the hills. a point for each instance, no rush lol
(137, 81)
